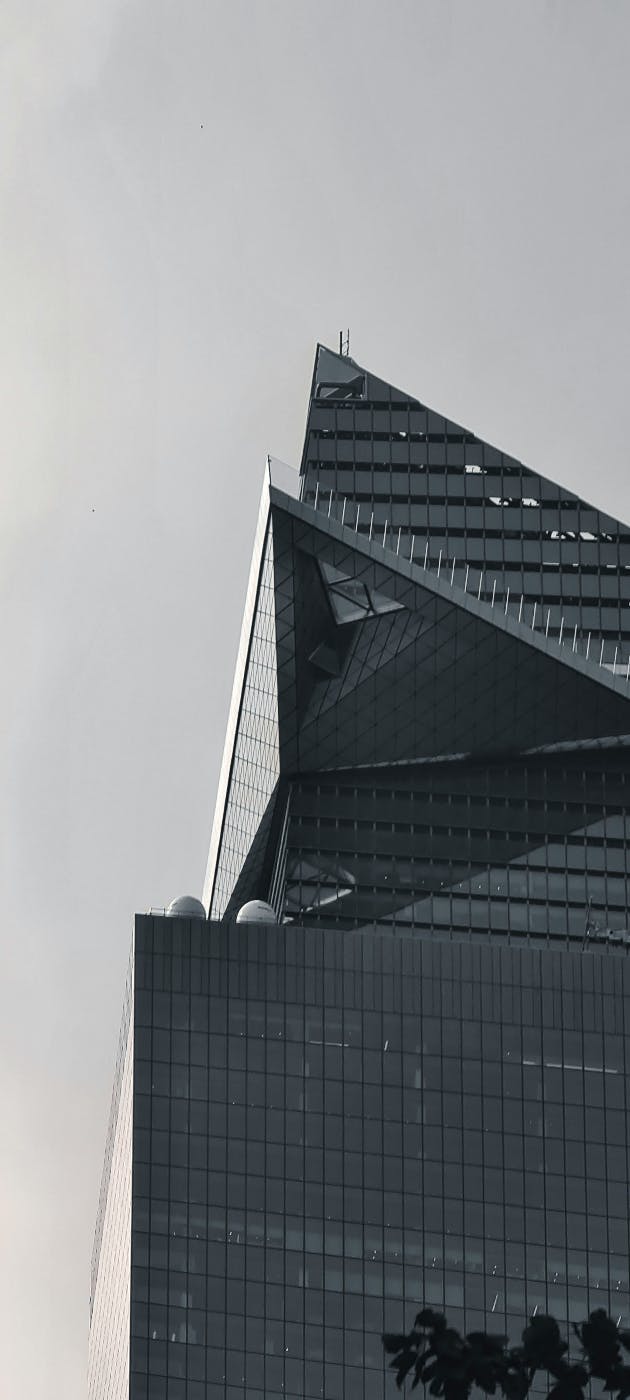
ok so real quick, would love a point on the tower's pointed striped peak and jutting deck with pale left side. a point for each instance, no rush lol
(426, 598)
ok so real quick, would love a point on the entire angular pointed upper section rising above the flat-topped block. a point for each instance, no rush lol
(451, 736)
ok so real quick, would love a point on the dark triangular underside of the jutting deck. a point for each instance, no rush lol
(443, 674)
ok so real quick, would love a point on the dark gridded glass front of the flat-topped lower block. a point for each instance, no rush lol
(331, 1132)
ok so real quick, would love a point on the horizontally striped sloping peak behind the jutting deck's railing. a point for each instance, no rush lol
(402, 465)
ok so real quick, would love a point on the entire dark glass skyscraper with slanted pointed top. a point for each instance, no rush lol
(412, 1086)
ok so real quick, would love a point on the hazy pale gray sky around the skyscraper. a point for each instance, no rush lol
(191, 195)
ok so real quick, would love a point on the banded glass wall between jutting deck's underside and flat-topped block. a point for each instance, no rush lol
(537, 846)
